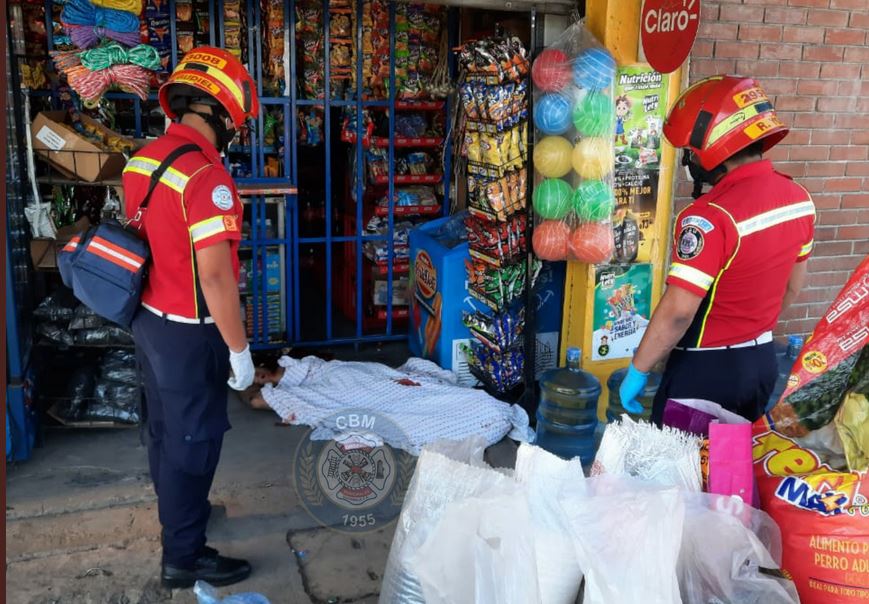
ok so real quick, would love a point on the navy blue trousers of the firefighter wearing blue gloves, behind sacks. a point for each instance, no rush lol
(739, 379)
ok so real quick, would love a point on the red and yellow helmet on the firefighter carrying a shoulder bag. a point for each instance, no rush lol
(218, 74)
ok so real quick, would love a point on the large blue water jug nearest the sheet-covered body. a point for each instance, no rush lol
(567, 414)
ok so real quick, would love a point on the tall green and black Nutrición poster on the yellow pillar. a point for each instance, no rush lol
(640, 106)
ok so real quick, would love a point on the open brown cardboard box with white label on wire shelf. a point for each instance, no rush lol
(71, 153)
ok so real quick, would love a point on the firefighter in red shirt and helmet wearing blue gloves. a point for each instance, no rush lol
(738, 257)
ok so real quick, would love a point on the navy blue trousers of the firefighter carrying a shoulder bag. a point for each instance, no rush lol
(185, 368)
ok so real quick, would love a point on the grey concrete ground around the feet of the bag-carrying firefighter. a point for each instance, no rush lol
(82, 523)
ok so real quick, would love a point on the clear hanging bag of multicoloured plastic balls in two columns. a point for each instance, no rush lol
(574, 124)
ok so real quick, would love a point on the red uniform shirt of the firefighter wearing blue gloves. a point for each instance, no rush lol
(736, 246)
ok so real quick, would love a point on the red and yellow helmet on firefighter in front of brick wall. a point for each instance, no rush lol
(719, 116)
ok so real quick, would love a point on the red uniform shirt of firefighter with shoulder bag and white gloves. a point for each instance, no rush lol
(195, 205)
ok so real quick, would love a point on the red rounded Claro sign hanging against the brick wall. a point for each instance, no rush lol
(667, 32)
